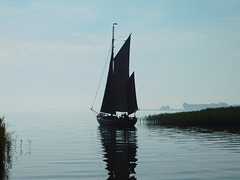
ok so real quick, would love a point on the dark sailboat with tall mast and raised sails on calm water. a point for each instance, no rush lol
(120, 92)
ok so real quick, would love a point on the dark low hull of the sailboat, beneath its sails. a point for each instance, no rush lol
(117, 122)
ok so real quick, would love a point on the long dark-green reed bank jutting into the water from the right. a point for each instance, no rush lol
(211, 117)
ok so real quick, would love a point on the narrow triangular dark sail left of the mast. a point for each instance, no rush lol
(108, 99)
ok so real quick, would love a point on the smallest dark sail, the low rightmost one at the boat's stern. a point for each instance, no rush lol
(131, 95)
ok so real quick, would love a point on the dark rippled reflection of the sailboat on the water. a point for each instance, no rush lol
(119, 151)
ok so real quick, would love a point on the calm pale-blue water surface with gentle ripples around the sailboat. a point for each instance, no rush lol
(71, 145)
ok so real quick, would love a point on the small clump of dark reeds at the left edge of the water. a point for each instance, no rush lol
(5, 150)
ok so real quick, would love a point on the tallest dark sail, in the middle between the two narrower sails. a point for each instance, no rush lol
(121, 75)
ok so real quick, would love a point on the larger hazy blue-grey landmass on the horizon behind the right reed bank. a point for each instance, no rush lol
(203, 106)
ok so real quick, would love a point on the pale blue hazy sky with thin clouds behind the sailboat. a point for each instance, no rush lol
(52, 52)
